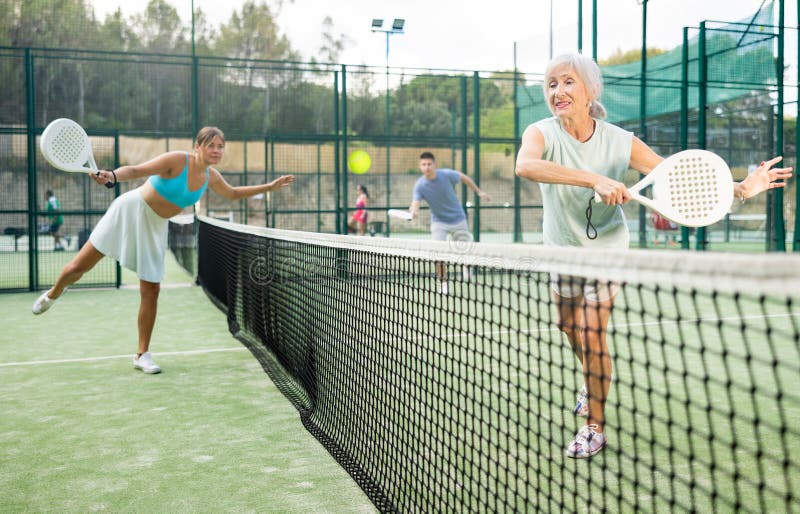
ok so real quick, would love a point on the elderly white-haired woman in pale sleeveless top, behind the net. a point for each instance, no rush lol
(574, 155)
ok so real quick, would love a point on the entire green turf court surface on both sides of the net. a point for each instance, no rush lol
(84, 431)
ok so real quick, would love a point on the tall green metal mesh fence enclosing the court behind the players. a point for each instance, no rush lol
(720, 90)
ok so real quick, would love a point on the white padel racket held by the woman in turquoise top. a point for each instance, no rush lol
(66, 146)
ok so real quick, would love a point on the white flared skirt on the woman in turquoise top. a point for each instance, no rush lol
(132, 233)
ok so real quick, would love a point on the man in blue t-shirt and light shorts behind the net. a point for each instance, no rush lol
(448, 220)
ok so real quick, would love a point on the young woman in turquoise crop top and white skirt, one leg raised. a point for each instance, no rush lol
(134, 228)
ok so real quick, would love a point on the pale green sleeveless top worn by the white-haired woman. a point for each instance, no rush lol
(607, 152)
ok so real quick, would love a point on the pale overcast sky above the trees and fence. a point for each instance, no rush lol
(457, 34)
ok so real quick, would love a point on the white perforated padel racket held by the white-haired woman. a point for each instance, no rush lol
(693, 188)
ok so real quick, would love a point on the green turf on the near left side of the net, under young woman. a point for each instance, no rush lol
(83, 431)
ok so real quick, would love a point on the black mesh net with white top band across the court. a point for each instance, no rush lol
(464, 401)
